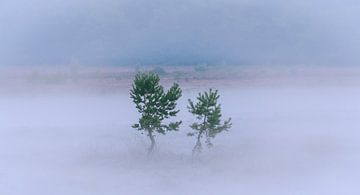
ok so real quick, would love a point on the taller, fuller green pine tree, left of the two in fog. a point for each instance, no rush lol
(155, 105)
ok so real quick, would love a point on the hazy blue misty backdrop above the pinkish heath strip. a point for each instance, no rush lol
(121, 32)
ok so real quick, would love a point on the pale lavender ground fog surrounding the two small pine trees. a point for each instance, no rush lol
(284, 140)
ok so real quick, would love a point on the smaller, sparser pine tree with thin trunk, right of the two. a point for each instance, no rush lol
(208, 113)
